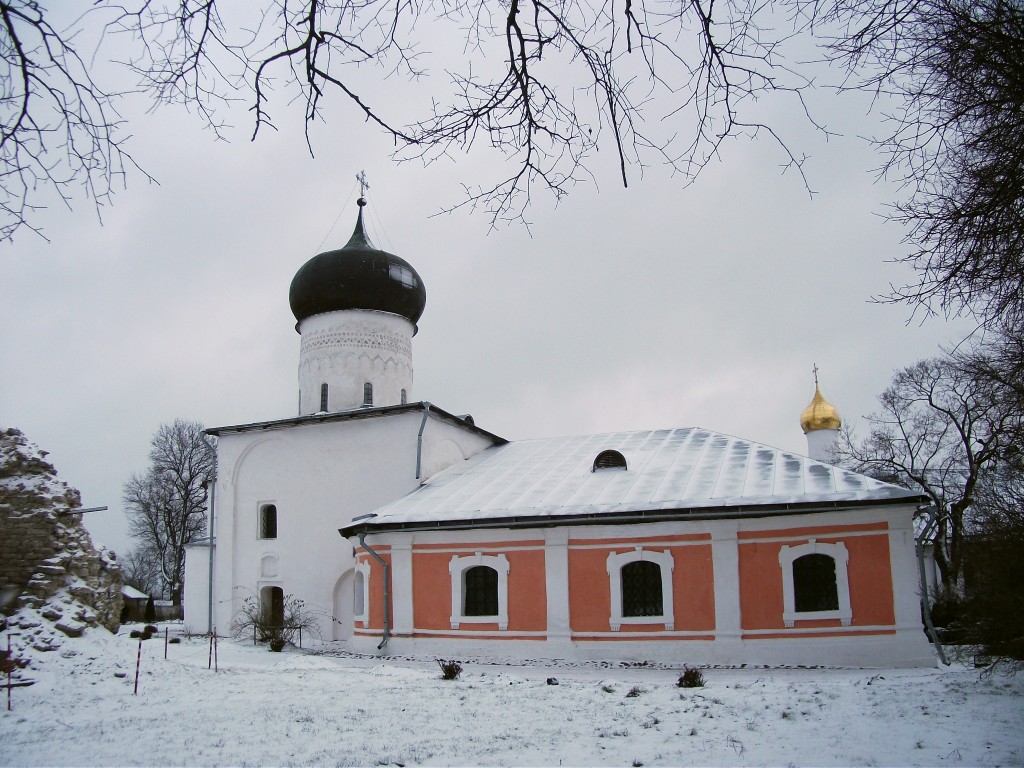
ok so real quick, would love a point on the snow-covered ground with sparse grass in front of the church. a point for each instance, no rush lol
(301, 708)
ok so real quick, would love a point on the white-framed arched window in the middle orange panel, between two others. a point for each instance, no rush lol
(641, 587)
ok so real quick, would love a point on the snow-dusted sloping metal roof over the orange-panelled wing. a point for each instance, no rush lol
(672, 470)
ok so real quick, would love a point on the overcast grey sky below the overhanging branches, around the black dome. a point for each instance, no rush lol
(657, 307)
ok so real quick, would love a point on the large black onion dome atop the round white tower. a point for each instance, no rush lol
(358, 277)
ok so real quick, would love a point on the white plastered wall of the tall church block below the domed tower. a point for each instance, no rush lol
(320, 477)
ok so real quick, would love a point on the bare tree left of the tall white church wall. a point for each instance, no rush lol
(167, 505)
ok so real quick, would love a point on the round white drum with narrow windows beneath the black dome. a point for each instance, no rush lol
(349, 350)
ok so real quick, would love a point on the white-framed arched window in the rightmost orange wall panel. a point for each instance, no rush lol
(816, 584)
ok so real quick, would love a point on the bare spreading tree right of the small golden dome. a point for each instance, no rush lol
(941, 433)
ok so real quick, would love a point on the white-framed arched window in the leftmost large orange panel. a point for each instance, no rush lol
(480, 590)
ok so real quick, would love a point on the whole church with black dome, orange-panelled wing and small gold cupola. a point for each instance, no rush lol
(410, 530)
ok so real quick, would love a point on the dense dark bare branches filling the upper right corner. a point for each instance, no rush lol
(957, 70)
